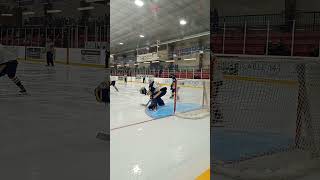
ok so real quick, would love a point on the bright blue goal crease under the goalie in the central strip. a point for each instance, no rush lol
(168, 109)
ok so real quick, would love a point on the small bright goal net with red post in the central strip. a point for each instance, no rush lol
(192, 98)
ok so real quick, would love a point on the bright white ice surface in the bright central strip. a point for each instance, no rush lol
(159, 149)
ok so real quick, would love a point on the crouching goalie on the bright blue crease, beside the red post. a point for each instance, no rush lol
(155, 94)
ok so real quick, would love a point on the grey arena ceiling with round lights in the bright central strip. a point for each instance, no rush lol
(156, 20)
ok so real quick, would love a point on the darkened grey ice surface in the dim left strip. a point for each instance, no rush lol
(51, 133)
